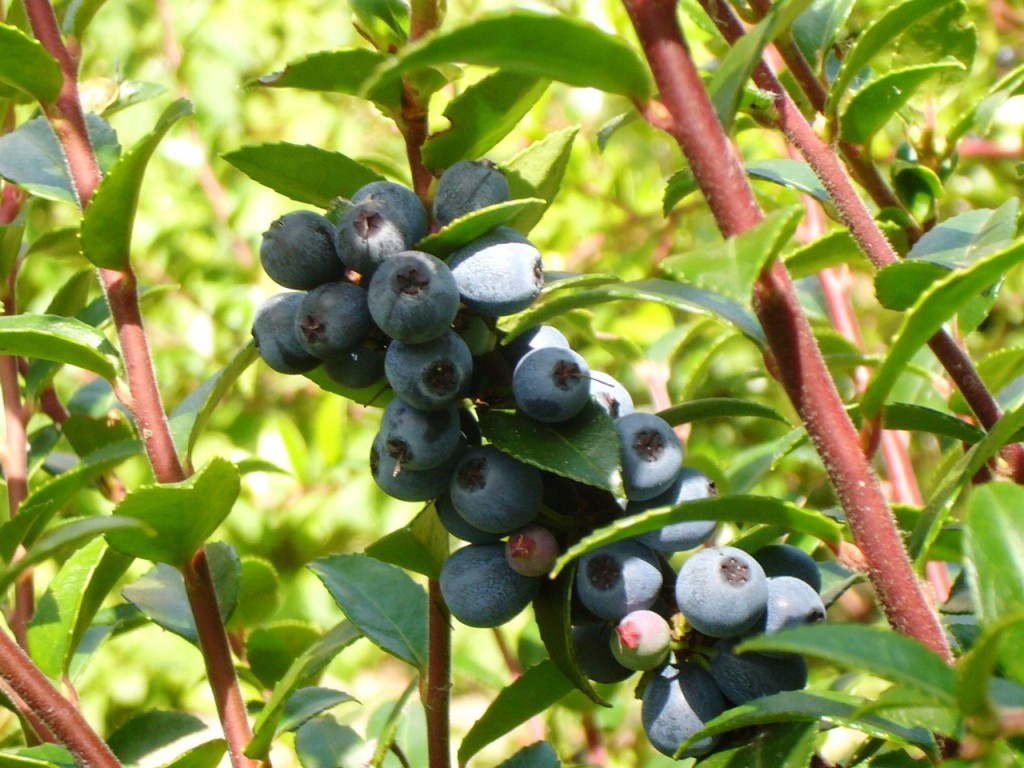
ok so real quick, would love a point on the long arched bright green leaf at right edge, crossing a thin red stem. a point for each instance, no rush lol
(929, 314)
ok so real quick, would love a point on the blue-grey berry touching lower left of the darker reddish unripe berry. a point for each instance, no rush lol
(481, 589)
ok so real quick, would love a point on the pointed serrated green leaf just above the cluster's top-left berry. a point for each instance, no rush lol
(303, 173)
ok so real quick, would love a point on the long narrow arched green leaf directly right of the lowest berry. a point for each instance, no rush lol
(827, 707)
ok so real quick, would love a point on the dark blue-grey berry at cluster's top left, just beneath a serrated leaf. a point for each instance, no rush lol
(298, 251)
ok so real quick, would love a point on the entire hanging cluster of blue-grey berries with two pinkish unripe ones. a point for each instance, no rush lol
(372, 311)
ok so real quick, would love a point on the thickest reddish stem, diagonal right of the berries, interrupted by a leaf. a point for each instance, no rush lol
(798, 361)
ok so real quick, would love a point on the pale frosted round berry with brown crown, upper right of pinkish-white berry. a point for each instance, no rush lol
(722, 591)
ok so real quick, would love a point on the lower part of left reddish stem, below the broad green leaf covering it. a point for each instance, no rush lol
(218, 657)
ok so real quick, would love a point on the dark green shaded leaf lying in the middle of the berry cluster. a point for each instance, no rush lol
(586, 448)
